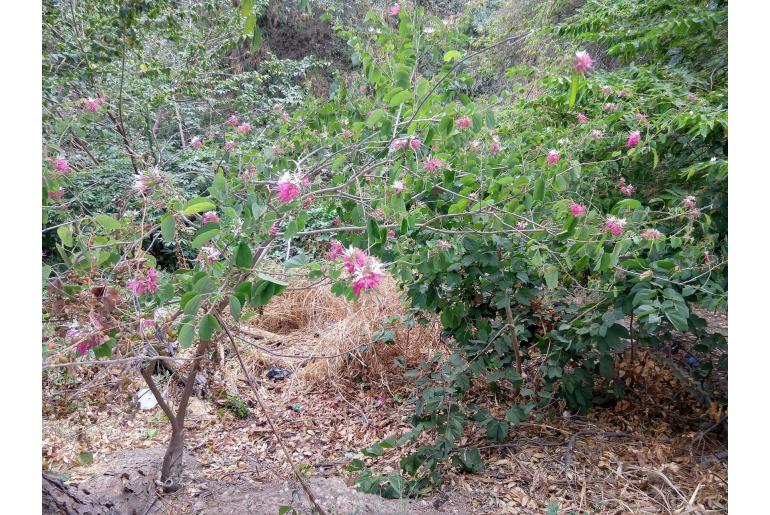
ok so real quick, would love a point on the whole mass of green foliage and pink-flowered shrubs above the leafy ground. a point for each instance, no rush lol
(553, 188)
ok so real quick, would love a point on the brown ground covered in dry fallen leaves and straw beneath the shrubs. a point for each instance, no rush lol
(657, 451)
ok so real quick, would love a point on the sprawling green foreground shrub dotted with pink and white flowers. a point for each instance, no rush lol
(495, 218)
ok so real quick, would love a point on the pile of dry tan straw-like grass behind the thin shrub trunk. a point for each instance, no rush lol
(322, 336)
